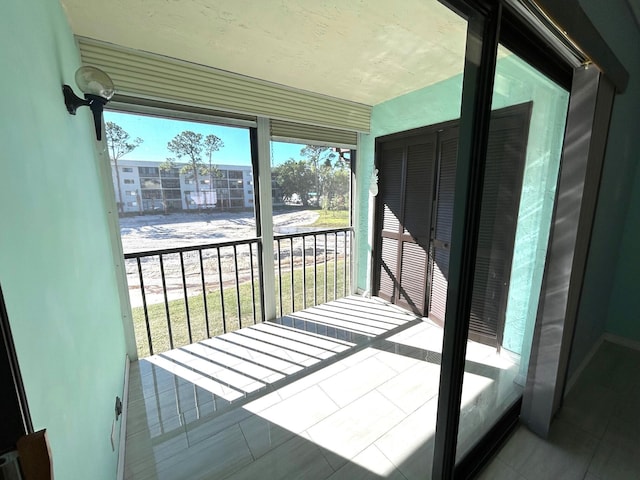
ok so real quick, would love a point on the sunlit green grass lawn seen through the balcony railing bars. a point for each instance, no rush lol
(232, 321)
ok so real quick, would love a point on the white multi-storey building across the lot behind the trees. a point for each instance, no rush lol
(147, 188)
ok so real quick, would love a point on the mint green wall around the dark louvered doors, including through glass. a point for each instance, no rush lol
(516, 82)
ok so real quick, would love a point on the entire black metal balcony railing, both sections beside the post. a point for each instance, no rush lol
(184, 295)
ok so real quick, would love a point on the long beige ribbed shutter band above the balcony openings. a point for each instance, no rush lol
(155, 77)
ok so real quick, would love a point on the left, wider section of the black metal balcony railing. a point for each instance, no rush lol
(182, 295)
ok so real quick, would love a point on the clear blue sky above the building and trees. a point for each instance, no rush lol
(157, 132)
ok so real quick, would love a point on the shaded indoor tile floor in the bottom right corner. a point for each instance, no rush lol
(596, 435)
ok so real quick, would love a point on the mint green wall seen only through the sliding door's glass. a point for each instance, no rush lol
(516, 82)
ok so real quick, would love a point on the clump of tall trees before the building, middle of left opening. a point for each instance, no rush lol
(192, 146)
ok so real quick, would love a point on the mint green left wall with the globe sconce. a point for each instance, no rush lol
(57, 267)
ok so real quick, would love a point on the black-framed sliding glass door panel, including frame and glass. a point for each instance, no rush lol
(510, 142)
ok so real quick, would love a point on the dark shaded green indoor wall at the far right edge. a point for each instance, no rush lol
(610, 300)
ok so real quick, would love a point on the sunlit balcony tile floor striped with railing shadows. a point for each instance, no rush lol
(345, 390)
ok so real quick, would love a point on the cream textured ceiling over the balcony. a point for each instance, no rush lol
(367, 51)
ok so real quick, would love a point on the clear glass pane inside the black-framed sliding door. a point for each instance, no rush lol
(523, 157)
